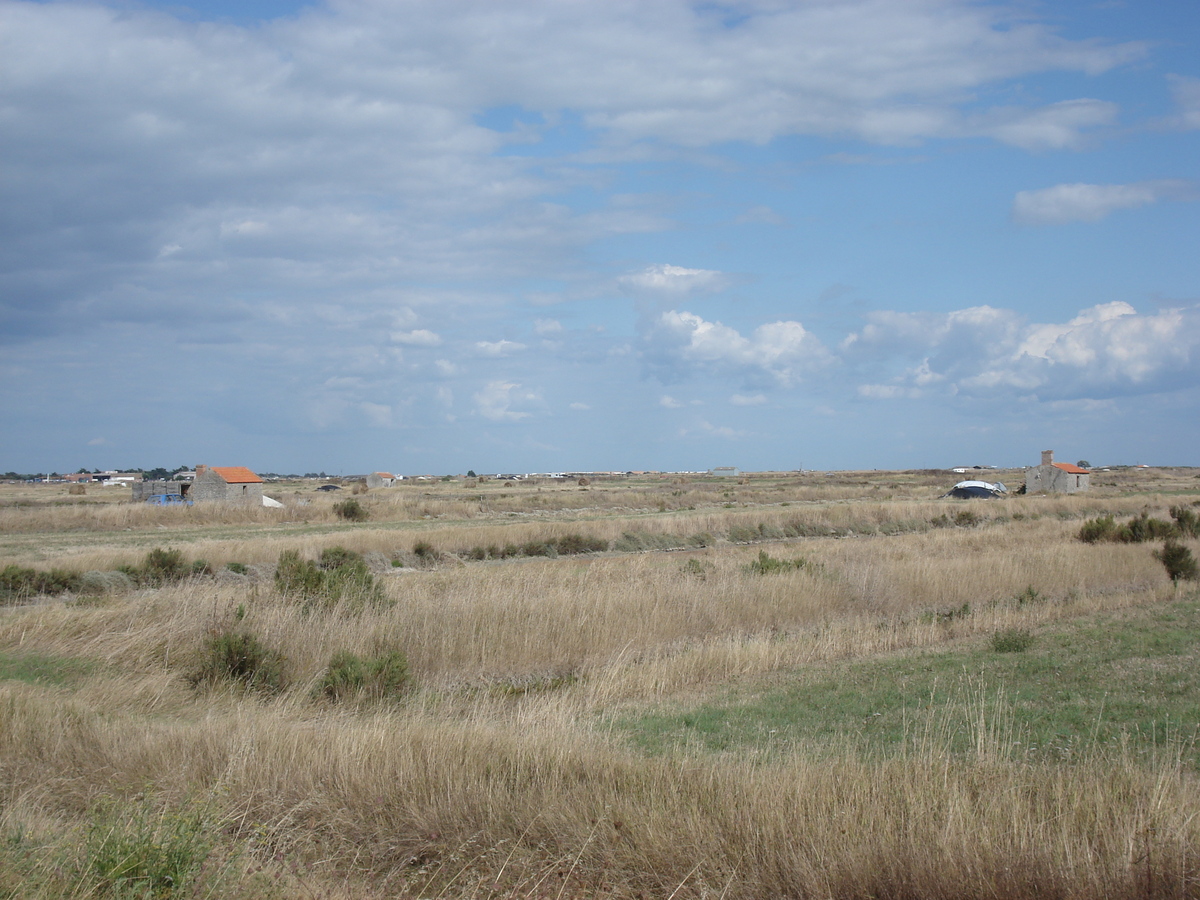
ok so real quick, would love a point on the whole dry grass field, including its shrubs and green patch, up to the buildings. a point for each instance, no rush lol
(811, 686)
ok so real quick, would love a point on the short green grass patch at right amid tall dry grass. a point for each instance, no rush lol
(1059, 692)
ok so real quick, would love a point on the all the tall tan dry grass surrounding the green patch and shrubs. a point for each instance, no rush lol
(495, 778)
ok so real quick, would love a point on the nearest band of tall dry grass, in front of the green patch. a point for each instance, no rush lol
(416, 806)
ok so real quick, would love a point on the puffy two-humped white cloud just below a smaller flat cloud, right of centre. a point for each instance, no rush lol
(783, 350)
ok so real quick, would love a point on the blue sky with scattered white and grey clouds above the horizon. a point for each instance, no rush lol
(545, 236)
